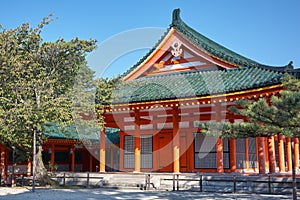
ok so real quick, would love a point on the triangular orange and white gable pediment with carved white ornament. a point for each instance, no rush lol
(175, 53)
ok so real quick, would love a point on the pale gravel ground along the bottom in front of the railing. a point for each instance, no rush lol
(7, 193)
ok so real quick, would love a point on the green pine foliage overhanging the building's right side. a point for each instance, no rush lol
(280, 116)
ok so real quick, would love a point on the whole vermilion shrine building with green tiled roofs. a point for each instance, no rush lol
(151, 125)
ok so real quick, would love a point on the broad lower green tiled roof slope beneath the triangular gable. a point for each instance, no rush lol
(195, 84)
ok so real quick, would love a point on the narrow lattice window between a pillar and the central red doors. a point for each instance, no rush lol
(146, 151)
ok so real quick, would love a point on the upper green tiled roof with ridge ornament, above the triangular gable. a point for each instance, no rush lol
(210, 47)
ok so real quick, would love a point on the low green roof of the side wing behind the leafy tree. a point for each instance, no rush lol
(53, 131)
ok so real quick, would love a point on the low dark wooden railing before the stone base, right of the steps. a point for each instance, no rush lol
(232, 183)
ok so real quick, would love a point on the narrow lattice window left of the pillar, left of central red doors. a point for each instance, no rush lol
(128, 151)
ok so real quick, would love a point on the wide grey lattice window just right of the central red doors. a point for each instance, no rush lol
(205, 151)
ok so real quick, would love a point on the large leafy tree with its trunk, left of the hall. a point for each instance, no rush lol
(37, 79)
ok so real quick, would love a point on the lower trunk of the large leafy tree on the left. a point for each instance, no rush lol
(41, 172)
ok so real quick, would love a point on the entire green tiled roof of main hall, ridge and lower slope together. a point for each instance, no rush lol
(248, 75)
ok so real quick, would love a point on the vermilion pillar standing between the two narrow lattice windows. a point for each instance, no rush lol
(137, 143)
